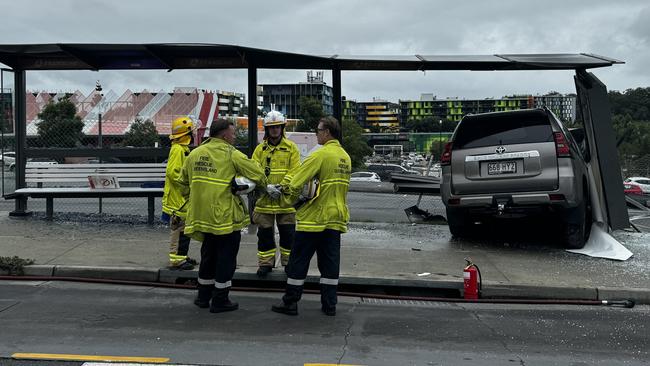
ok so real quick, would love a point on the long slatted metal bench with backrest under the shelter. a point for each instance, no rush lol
(71, 181)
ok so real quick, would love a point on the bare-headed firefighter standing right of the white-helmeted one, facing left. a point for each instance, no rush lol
(320, 220)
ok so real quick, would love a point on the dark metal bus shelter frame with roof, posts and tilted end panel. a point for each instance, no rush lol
(165, 56)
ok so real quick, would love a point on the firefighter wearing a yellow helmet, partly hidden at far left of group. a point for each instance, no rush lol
(173, 204)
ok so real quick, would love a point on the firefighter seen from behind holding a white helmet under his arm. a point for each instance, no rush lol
(215, 215)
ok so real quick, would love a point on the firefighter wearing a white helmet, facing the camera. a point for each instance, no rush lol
(278, 156)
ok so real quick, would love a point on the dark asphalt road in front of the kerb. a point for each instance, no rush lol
(92, 319)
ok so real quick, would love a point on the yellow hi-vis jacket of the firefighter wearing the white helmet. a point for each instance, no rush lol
(278, 163)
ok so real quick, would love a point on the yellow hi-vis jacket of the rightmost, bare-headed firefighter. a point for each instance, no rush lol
(329, 210)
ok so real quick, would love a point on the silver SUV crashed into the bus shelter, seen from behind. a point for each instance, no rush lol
(512, 164)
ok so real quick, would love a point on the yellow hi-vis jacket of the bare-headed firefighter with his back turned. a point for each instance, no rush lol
(207, 174)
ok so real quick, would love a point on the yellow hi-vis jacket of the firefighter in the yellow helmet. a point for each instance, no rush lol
(173, 200)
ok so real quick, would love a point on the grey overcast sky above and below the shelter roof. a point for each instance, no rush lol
(617, 29)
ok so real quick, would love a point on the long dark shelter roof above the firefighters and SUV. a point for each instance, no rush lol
(170, 56)
